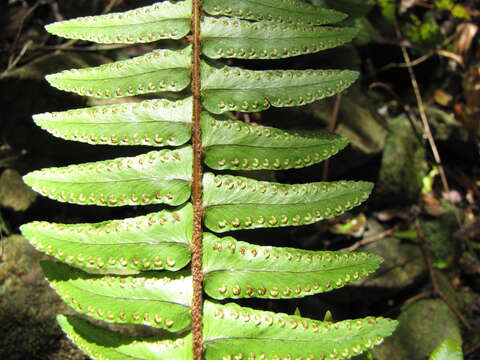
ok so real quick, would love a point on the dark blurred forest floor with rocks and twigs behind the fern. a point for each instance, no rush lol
(413, 119)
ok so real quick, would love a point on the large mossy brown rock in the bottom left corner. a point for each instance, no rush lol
(28, 308)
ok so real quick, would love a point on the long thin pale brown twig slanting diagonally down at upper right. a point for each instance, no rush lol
(423, 115)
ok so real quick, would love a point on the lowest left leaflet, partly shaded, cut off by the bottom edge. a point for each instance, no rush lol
(101, 344)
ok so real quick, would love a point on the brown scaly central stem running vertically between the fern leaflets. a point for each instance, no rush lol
(197, 273)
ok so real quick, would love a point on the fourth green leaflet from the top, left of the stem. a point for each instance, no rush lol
(158, 177)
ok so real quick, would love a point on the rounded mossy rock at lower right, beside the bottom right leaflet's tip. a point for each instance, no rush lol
(423, 326)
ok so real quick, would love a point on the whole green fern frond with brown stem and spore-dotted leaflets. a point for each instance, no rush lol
(136, 270)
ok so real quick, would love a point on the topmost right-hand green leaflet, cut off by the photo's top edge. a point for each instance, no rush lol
(284, 11)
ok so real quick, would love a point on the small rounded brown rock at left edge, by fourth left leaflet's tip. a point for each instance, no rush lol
(14, 193)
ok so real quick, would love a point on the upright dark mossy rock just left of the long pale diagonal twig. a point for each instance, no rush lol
(403, 166)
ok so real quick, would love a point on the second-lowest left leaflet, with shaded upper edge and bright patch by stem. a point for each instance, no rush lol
(156, 299)
